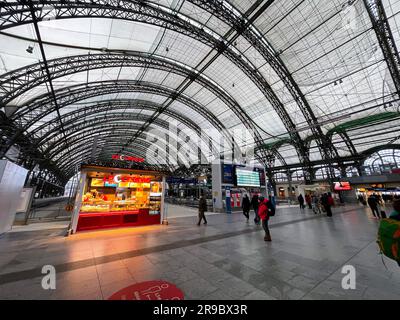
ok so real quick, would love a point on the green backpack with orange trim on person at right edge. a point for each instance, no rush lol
(389, 239)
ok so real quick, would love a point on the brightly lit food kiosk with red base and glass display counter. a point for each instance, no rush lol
(112, 198)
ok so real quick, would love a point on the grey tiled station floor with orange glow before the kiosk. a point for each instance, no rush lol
(227, 259)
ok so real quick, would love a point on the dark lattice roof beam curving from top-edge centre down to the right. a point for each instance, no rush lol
(255, 38)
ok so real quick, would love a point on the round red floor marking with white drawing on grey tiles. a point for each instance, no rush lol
(149, 290)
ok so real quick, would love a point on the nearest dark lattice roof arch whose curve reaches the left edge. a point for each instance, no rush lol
(157, 15)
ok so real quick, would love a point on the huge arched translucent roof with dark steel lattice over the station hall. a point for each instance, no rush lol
(313, 81)
